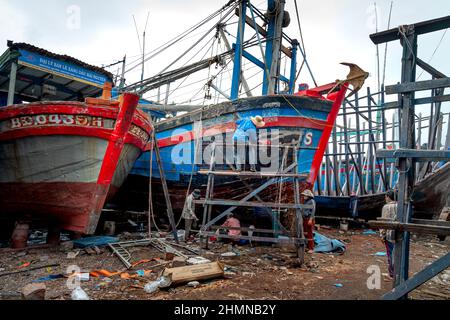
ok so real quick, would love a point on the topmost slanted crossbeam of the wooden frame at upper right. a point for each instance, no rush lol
(420, 28)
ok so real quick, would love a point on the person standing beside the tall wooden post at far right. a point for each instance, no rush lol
(389, 212)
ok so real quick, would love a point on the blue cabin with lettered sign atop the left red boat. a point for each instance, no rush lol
(30, 74)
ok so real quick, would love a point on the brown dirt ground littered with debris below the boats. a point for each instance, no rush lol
(263, 273)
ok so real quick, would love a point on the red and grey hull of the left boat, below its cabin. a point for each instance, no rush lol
(63, 160)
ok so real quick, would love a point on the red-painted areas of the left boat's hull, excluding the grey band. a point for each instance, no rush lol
(76, 206)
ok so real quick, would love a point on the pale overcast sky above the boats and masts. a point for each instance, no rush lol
(334, 31)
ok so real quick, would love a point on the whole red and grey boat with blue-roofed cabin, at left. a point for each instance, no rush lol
(61, 161)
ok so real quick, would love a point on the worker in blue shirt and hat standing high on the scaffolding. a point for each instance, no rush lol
(246, 134)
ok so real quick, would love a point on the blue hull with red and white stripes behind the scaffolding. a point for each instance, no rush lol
(304, 120)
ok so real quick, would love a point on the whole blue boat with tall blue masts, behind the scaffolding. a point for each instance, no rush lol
(301, 121)
